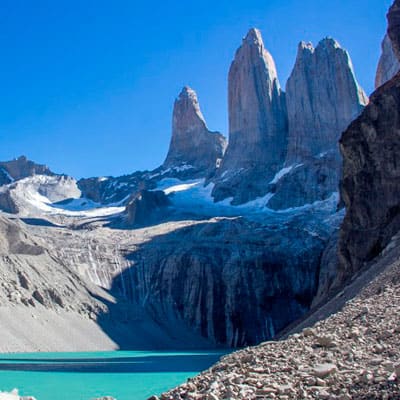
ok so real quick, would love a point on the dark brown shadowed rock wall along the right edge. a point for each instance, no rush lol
(371, 172)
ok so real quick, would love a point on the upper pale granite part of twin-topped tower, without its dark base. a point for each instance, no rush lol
(323, 97)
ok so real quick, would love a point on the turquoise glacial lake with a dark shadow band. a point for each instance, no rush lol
(125, 375)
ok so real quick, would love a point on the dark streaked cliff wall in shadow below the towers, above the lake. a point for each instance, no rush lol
(227, 283)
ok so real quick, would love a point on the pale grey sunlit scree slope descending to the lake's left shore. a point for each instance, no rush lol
(41, 297)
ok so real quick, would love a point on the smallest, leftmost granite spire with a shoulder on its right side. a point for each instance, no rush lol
(192, 144)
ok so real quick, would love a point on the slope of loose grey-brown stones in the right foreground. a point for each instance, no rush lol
(353, 354)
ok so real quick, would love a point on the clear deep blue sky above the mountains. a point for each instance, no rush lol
(87, 86)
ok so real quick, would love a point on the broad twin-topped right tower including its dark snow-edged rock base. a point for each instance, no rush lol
(323, 97)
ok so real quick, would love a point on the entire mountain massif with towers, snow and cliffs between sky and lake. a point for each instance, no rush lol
(229, 241)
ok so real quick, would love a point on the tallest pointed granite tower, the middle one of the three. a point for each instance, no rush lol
(257, 123)
